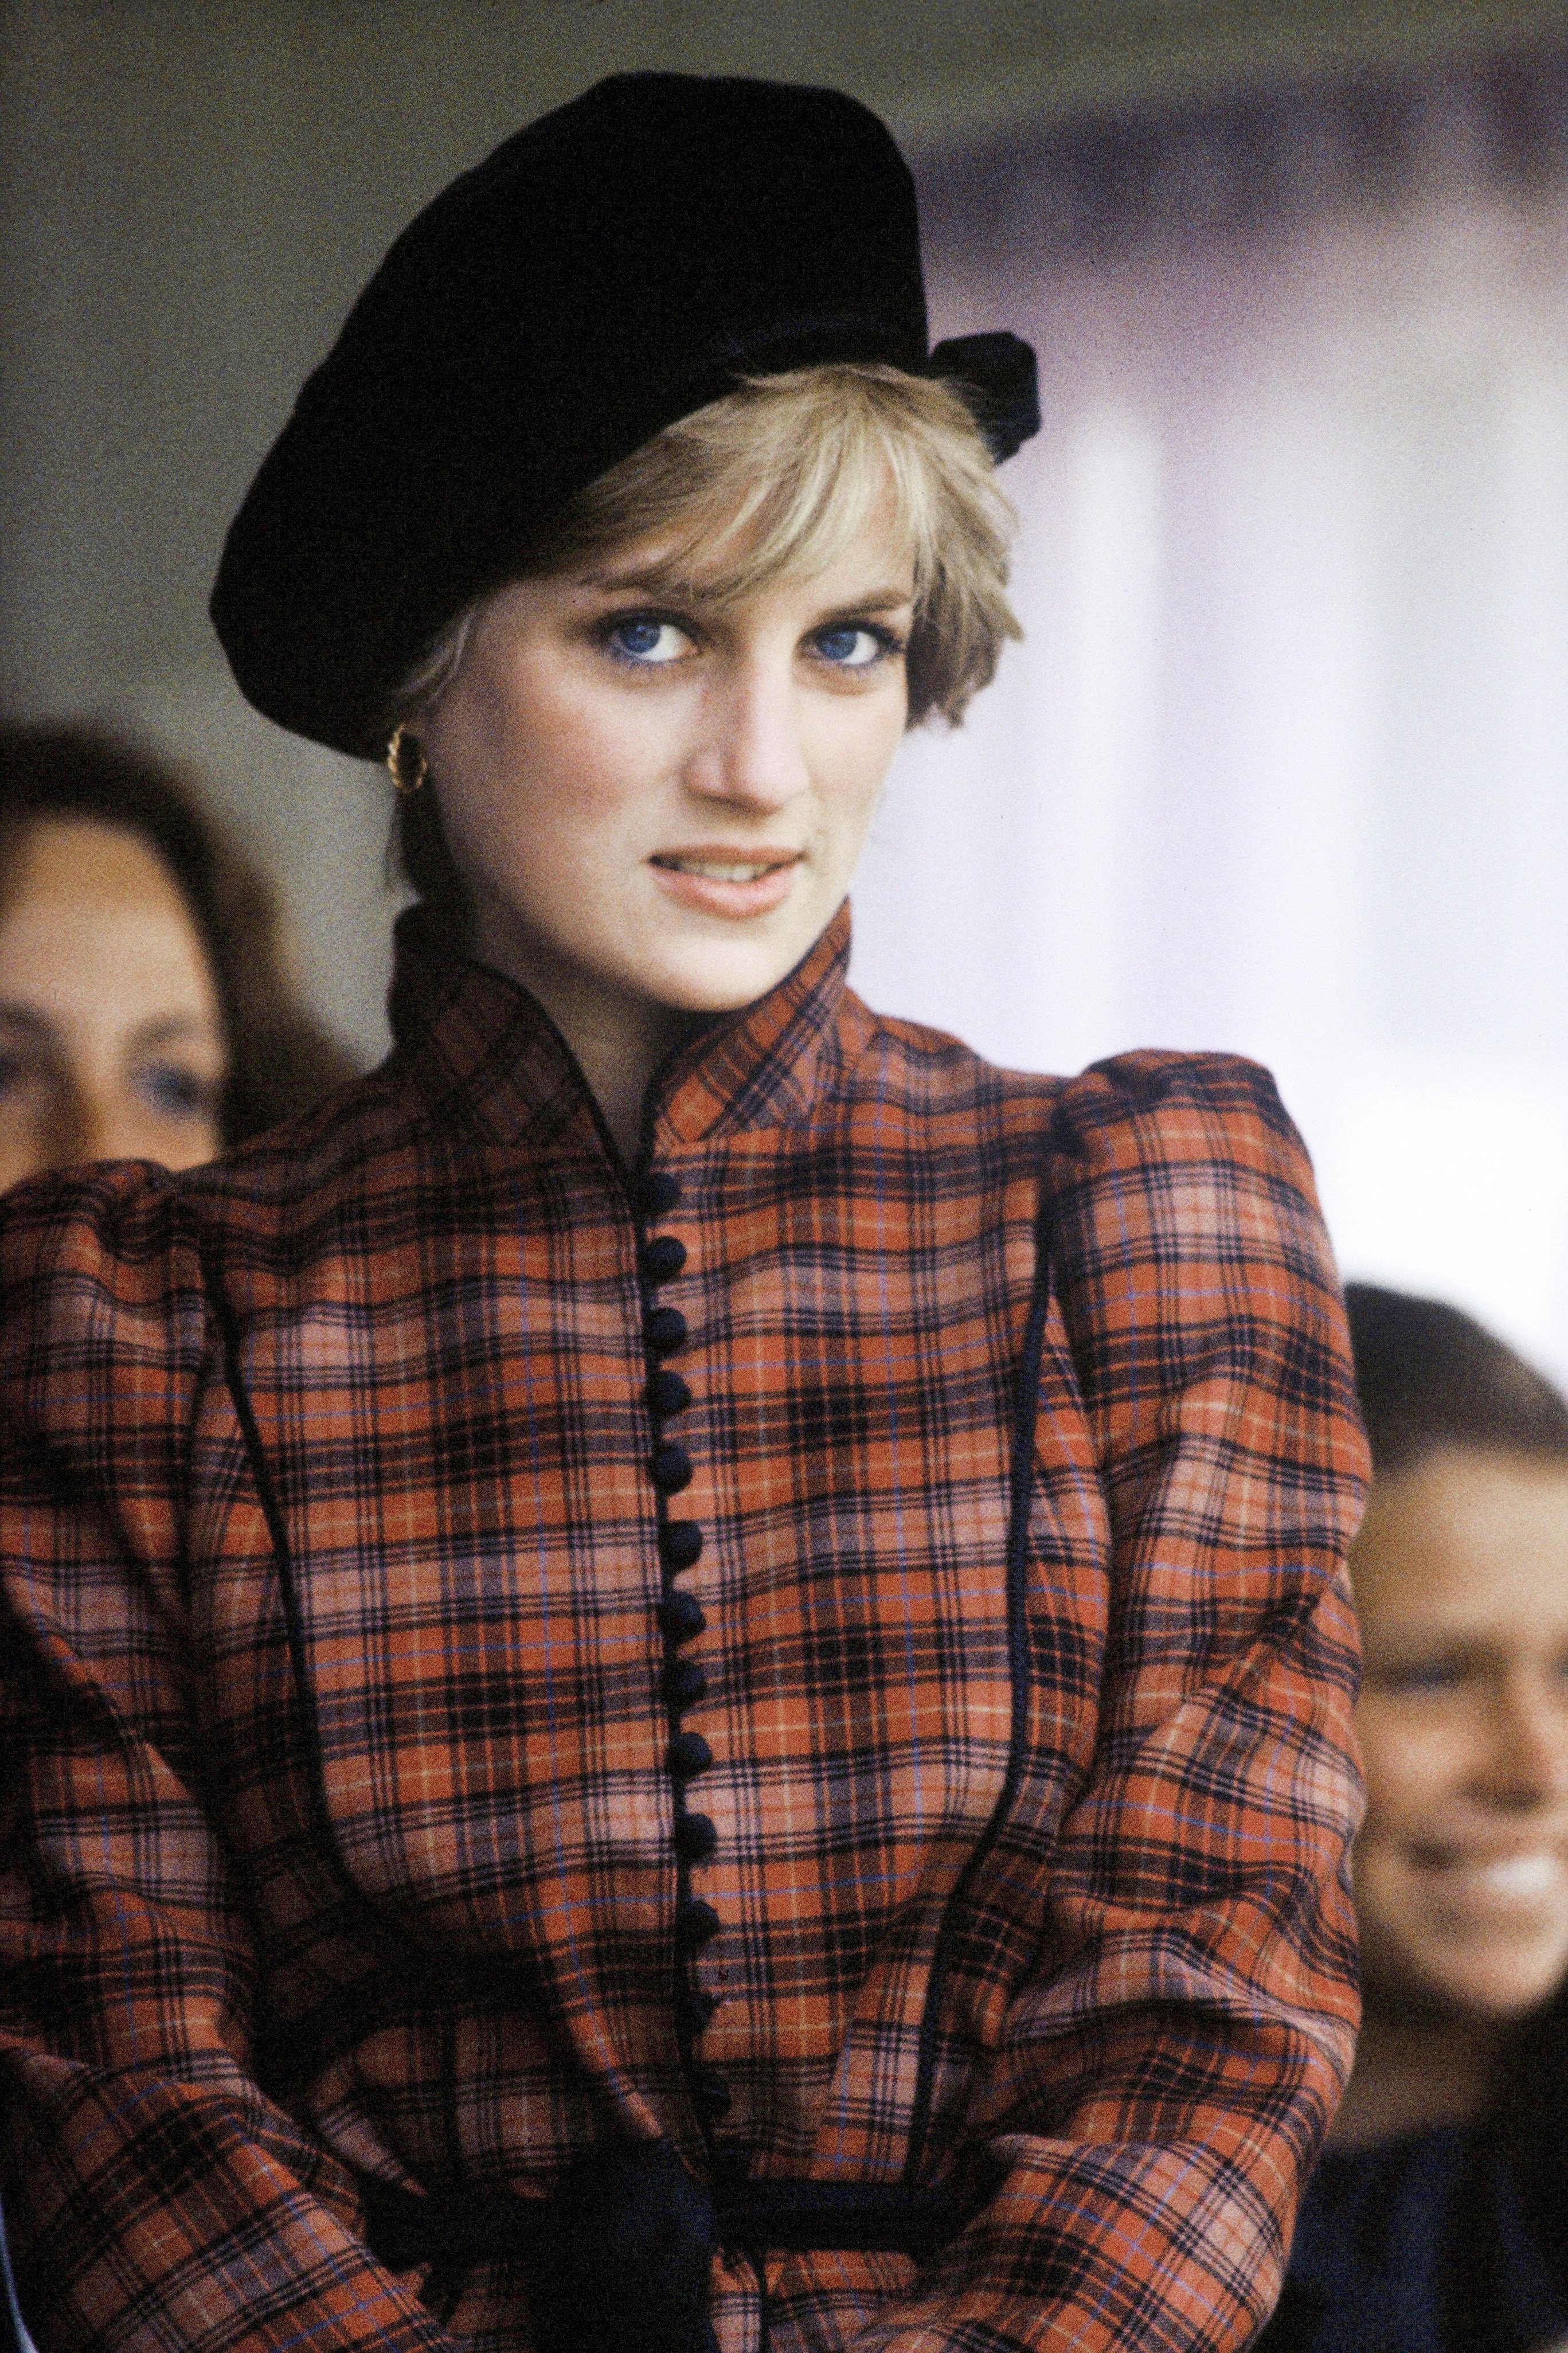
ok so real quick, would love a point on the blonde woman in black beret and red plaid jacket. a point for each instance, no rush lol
(729, 1700)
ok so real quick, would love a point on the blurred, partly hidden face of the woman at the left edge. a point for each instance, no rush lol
(112, 1041)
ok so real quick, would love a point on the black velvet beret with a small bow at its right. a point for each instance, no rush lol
(604, 272)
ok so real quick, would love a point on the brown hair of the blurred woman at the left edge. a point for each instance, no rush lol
(281, 1060)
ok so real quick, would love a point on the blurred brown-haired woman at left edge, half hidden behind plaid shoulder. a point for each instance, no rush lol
(145, 1011)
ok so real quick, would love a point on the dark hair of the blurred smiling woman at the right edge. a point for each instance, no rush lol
(1433, 1380)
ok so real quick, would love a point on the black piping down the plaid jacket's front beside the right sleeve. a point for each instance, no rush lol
(1021, 1481)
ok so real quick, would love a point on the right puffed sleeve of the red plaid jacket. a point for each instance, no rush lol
(1178, 2051)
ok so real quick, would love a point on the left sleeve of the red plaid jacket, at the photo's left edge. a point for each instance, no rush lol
(157, 2199)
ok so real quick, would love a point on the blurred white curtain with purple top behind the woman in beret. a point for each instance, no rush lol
(1284, 761)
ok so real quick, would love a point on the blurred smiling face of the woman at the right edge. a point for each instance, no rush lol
(1463, 1862)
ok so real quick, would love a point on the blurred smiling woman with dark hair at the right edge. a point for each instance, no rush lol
(1440, 2218)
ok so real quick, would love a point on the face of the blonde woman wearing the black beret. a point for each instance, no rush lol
(656, 801)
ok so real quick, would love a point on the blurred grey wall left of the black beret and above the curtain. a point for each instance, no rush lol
(194, 192)
